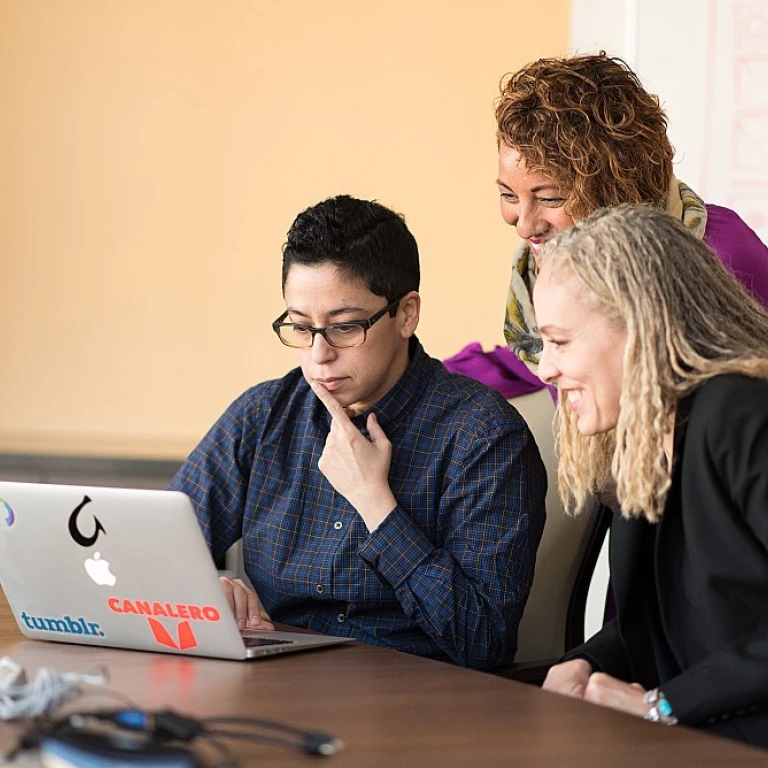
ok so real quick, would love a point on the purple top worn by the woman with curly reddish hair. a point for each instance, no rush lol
(726, 233)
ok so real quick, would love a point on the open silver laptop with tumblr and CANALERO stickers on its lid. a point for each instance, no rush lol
(121, 567)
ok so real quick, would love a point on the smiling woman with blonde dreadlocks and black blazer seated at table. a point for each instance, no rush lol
(661, 362)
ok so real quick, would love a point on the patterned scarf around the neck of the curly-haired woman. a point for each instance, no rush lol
(520, 329)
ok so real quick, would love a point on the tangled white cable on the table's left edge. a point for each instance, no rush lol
(44, 694)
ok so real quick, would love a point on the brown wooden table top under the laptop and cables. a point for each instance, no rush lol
(390, 709)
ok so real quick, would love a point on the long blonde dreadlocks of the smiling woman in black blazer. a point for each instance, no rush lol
(687, 320)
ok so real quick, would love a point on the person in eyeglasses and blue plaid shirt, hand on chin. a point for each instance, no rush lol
(377, 495)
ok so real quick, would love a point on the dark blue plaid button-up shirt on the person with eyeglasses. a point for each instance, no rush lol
(446, 575)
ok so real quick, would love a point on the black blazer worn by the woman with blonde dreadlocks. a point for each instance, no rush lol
(708, 569)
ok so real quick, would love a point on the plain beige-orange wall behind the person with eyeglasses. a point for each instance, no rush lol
(153, 154)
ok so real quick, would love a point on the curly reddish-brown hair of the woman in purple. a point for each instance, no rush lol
(589, 123)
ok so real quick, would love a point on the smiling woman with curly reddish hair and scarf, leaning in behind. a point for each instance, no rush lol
(581, 133)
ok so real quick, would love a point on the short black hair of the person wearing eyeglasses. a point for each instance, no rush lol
(366, 241)
